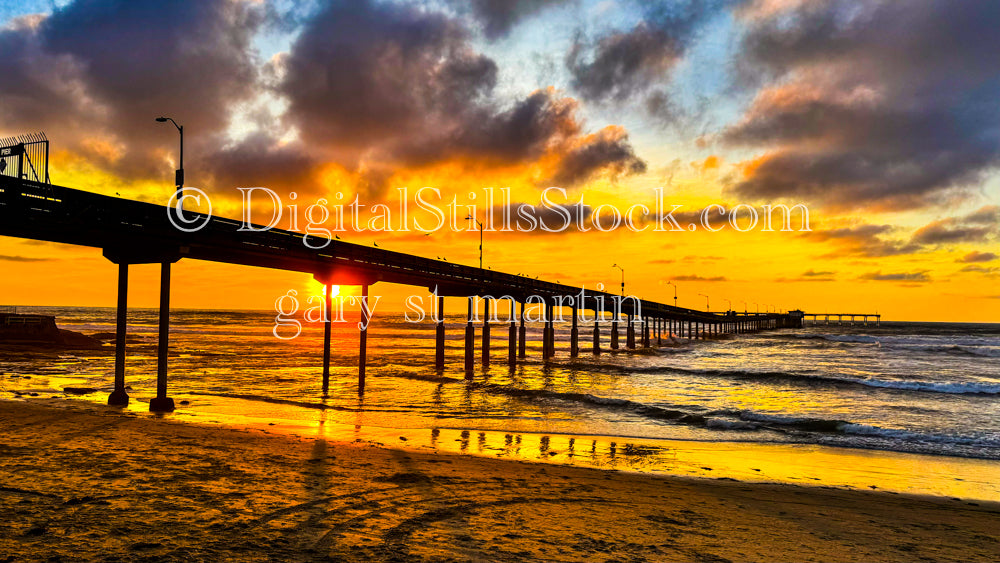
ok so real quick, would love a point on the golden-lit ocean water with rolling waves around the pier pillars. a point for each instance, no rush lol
(911, 388)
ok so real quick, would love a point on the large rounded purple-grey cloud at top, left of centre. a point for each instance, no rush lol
(362, 72)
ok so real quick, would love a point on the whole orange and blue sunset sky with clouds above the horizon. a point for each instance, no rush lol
(880, 118)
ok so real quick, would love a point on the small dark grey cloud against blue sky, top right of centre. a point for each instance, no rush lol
(634, 64)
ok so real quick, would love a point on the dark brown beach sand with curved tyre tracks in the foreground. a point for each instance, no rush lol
(85, 482)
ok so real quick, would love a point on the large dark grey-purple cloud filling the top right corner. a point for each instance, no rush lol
(882, 104)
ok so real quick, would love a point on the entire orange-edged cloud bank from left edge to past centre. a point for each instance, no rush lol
(367, 88)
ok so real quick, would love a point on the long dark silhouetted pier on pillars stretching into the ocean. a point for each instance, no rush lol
(134, 232)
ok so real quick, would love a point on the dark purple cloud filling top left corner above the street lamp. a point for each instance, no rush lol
(96, 73)
